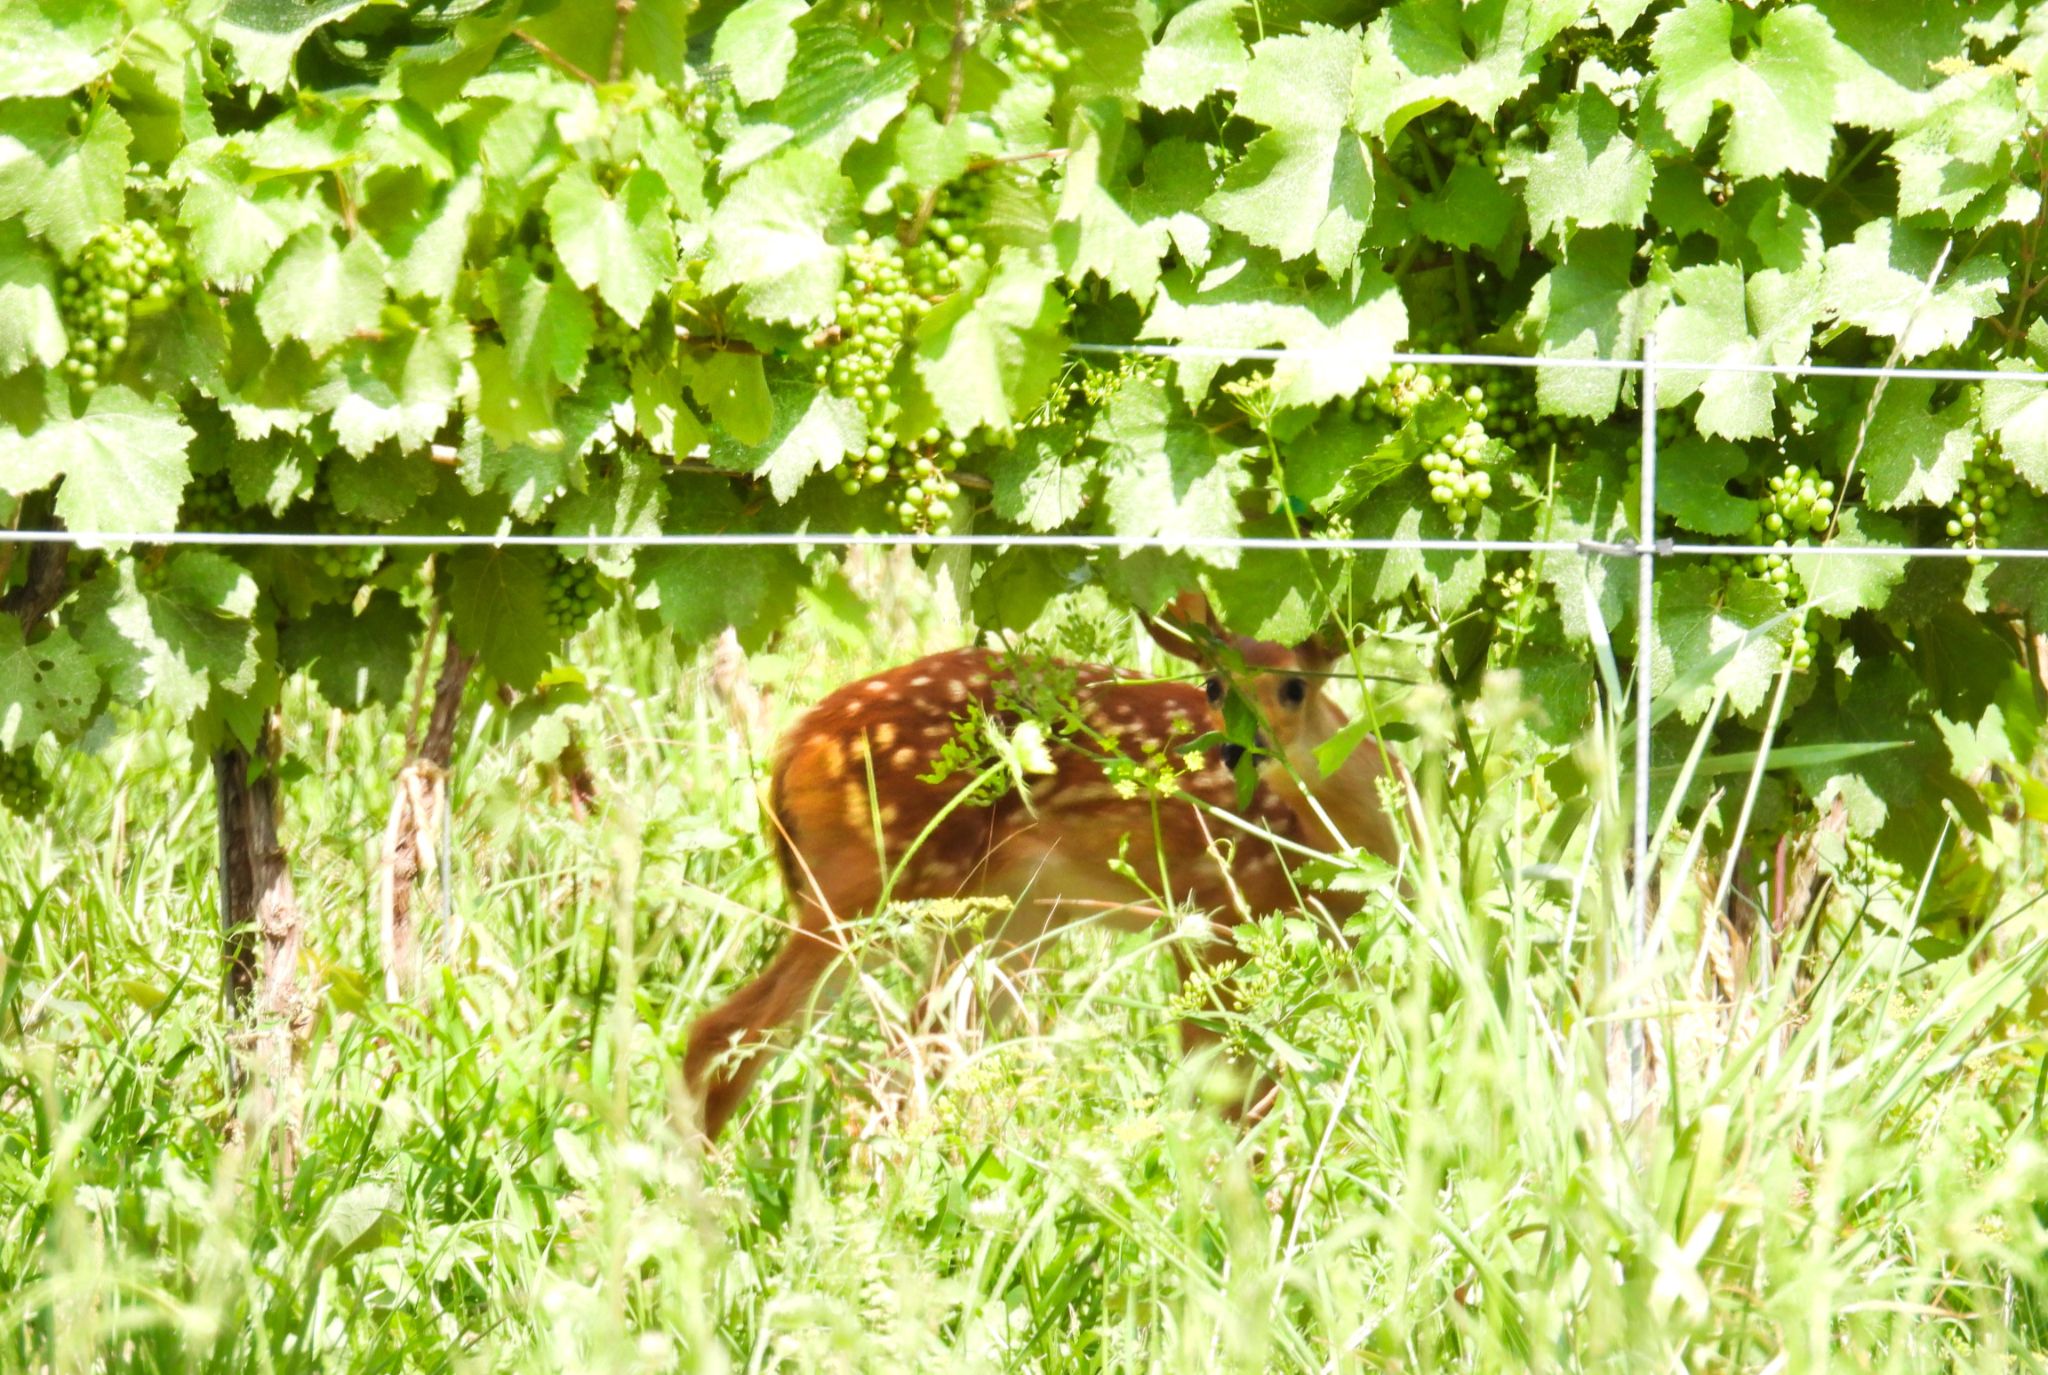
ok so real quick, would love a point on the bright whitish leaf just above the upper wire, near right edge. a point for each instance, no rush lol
(1881, 284)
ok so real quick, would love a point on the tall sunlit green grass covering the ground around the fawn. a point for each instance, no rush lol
(1842, 1169)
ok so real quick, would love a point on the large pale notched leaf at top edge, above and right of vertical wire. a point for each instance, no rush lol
(1781, 95)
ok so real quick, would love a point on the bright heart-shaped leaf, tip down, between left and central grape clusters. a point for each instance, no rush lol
(620, 245)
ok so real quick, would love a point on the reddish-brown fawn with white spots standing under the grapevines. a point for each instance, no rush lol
(853, 792)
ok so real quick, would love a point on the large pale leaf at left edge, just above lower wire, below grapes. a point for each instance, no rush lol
(122, 462)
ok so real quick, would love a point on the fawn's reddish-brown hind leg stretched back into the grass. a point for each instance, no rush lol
(730, 1044)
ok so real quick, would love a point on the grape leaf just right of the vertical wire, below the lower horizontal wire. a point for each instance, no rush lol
(1699, 618)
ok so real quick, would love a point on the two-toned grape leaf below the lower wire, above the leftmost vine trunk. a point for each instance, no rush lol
(171, 638)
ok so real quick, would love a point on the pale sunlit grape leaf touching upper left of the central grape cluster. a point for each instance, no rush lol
(769, 239)
